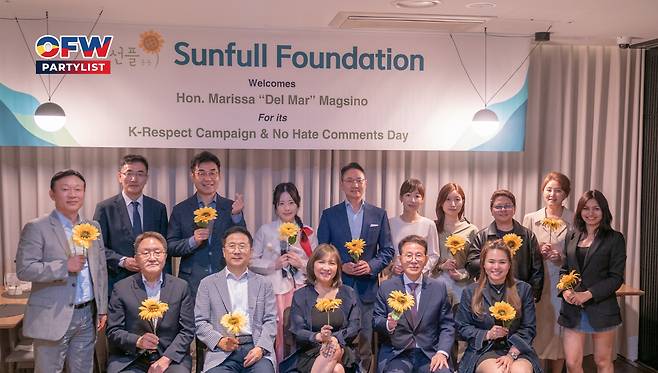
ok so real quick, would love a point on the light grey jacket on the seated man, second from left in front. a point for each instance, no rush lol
(213, 301)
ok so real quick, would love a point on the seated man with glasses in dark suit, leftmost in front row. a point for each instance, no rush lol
(134, 344)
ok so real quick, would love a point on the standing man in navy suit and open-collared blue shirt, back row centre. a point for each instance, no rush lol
(355, 219)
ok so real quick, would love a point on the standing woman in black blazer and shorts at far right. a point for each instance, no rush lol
(598, 253)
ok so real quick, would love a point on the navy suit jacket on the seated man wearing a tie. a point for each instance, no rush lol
(433, 330)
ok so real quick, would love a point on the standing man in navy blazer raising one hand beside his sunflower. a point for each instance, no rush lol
(200, 249)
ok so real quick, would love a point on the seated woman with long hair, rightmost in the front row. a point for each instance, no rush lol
(492, 347)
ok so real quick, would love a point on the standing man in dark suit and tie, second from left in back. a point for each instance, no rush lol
(125, 216)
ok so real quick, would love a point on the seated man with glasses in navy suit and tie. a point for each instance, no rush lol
(420, 340)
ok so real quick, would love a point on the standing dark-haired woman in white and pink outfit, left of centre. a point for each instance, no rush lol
(283, 264)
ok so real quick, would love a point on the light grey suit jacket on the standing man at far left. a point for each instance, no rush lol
(41, 258)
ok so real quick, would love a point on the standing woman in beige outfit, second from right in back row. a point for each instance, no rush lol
(555, 189)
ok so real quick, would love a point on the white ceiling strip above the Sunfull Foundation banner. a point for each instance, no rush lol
(570, 21)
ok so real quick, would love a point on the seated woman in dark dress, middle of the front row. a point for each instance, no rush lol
(323, 346)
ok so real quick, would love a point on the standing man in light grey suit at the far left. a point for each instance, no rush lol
(68, 302)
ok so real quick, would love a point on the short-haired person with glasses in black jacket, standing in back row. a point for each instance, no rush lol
(528, 263)
